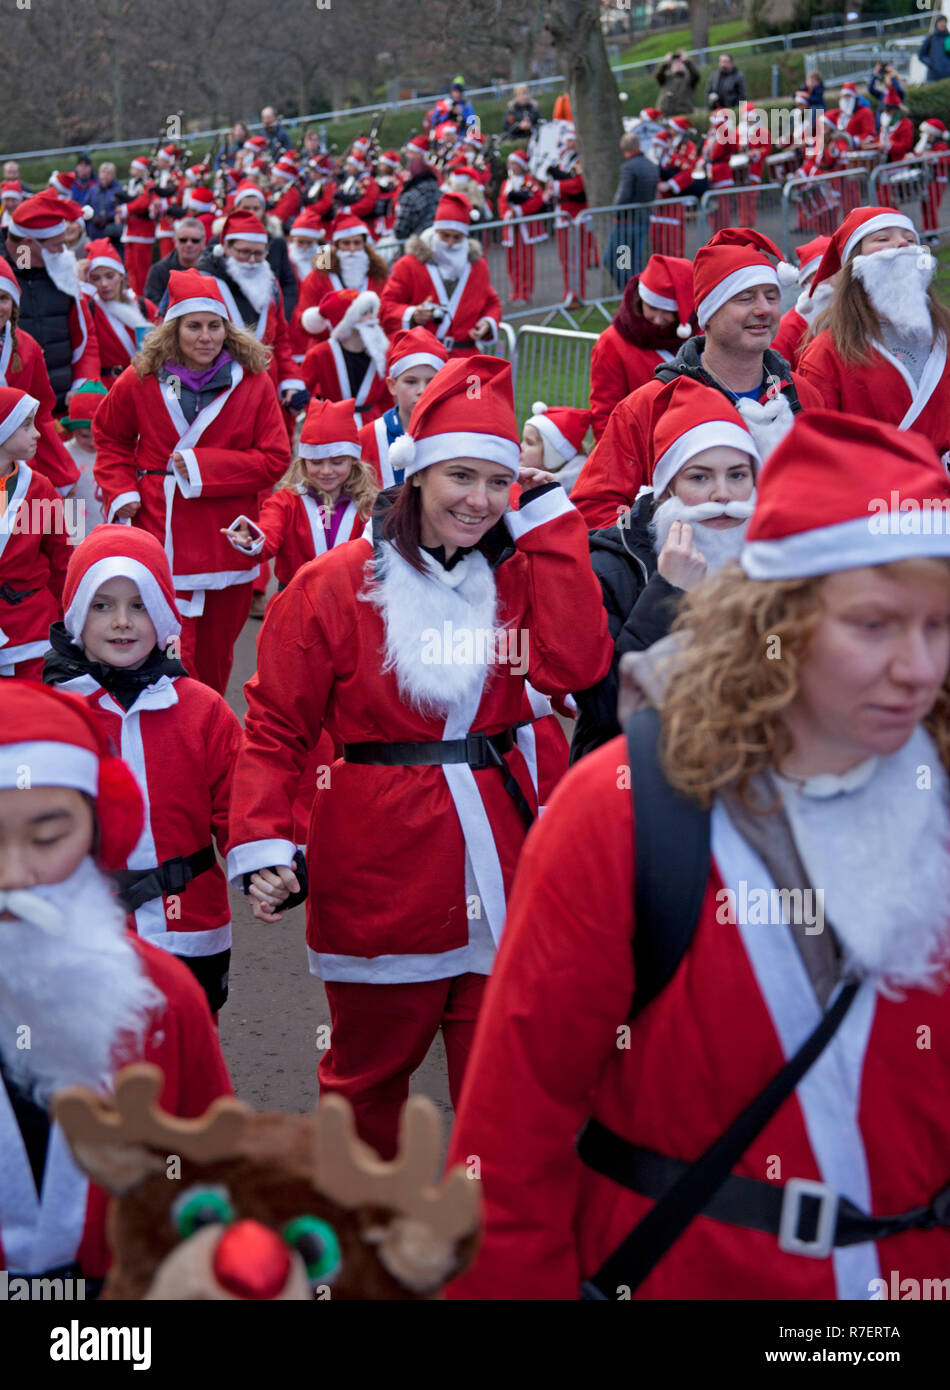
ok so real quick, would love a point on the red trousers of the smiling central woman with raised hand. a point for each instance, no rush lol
(380, 1033)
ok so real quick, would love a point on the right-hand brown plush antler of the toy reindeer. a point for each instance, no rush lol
(351, 1174)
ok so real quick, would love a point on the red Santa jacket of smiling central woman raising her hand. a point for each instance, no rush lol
(321, 668)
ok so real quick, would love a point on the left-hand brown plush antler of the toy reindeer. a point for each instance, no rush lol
(134, 1118)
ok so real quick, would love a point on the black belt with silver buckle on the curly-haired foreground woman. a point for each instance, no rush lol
(807, 1217)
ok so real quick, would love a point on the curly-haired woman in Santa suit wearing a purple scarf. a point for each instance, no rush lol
(190, 437)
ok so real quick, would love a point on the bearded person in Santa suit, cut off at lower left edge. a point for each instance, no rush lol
(86, 995)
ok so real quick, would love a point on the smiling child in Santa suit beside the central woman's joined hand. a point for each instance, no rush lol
(115, 648)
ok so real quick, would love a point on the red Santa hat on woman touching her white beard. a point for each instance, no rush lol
(692, 419)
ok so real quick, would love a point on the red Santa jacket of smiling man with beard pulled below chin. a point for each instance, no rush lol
(620, 464)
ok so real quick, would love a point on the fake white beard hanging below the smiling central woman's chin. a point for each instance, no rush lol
(415, 607)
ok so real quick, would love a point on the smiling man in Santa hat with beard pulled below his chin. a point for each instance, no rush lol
(738, 293)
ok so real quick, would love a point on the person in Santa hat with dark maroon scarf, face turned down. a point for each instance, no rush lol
(656, 315)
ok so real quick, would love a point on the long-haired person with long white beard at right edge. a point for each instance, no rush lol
(883, 348)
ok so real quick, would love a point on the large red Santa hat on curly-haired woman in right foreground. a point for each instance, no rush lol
(842, 493)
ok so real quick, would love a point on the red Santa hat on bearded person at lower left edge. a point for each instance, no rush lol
(63, 744)
